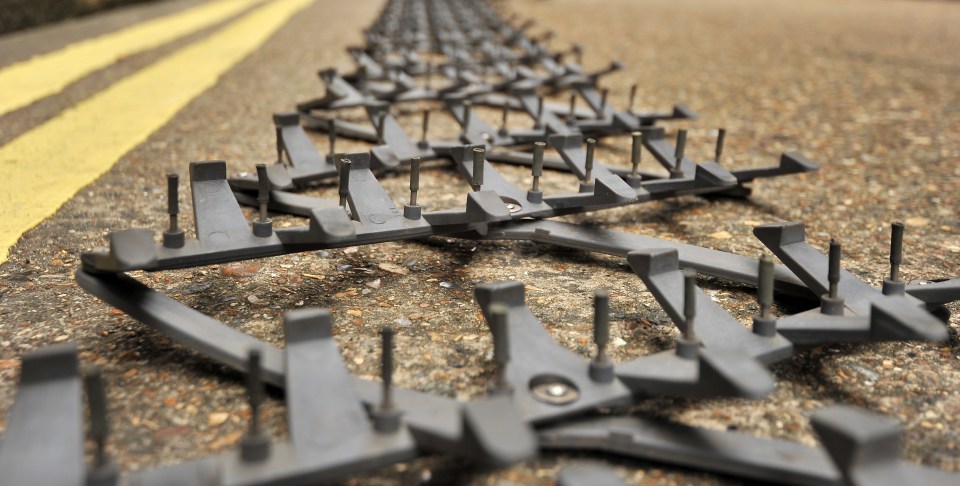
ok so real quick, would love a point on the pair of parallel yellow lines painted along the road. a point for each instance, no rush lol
(47, 165)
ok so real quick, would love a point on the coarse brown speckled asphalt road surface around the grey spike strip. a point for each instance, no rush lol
(866, 88)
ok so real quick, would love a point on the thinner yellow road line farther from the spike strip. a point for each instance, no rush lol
(41, 76)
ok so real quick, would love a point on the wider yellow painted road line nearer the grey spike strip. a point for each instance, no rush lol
(46, 166)
